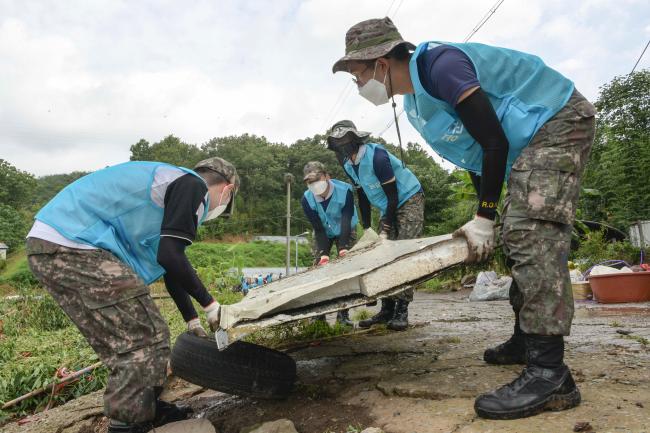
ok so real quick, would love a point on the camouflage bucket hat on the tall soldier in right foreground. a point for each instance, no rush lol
(369, 40)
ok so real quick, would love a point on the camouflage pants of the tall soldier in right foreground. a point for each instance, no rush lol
(540, 208)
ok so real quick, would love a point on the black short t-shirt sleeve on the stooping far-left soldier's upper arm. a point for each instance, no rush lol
(182, 200)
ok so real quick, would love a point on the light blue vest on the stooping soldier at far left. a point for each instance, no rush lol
(113, 209)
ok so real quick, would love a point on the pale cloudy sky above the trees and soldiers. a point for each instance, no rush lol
(82, 80)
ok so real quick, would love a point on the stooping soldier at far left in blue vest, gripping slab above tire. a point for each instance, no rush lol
(97, 245)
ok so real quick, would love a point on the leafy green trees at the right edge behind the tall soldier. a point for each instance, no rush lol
(617, 173)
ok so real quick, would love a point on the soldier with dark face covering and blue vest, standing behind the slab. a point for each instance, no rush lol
(382, 181)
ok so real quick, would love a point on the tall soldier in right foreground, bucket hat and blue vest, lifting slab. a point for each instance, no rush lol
(502, 115)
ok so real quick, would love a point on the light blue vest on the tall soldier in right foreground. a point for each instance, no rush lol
(524, 92)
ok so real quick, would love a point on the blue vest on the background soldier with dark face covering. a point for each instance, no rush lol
(407, 184)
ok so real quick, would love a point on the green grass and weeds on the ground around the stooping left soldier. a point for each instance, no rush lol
(37, 338)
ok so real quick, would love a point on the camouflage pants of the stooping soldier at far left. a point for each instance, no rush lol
(112, 308)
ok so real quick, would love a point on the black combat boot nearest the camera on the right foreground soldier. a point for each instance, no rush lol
(545, 384)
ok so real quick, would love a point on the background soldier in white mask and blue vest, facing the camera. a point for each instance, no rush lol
(329, 206)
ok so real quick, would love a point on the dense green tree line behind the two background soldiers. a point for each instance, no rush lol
(261, 203)
